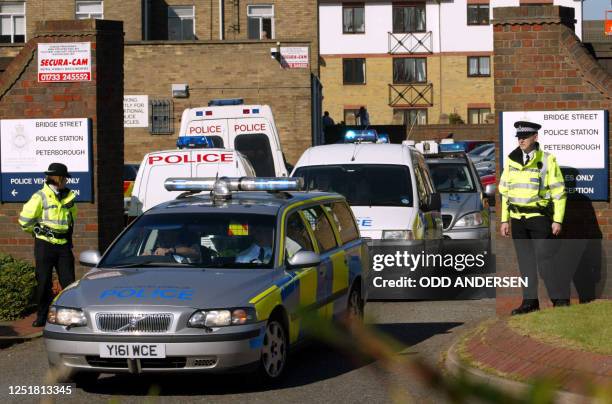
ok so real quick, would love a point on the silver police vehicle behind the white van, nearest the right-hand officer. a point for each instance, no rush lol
(465, 207)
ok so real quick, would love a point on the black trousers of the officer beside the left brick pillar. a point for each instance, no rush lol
(49, 256)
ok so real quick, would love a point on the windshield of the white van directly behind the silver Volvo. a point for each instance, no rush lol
(362, 184)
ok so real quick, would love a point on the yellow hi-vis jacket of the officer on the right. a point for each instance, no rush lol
(532, 186)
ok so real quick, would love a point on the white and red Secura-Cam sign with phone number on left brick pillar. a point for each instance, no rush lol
(64, 62)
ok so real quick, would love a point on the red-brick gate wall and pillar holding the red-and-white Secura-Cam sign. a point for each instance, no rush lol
(22, 97)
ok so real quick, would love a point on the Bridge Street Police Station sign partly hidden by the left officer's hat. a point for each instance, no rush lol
(28, 146)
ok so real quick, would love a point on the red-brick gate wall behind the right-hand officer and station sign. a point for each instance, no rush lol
(541, 65)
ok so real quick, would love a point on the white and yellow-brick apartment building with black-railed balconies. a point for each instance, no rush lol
(417, 62)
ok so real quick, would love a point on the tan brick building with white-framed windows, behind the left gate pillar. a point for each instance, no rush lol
(219, 49)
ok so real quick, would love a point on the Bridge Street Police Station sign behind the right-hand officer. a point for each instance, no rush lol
(579, 141)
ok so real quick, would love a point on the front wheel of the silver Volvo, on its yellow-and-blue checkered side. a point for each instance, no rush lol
(274, 351)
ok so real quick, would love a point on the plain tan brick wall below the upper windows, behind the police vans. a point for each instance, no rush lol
(218, 70)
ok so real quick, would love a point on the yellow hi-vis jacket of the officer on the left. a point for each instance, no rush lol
(46, 210)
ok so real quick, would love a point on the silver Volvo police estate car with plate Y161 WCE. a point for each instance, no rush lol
(211, 282)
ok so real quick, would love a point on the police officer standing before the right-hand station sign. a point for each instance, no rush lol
(533, 198)
